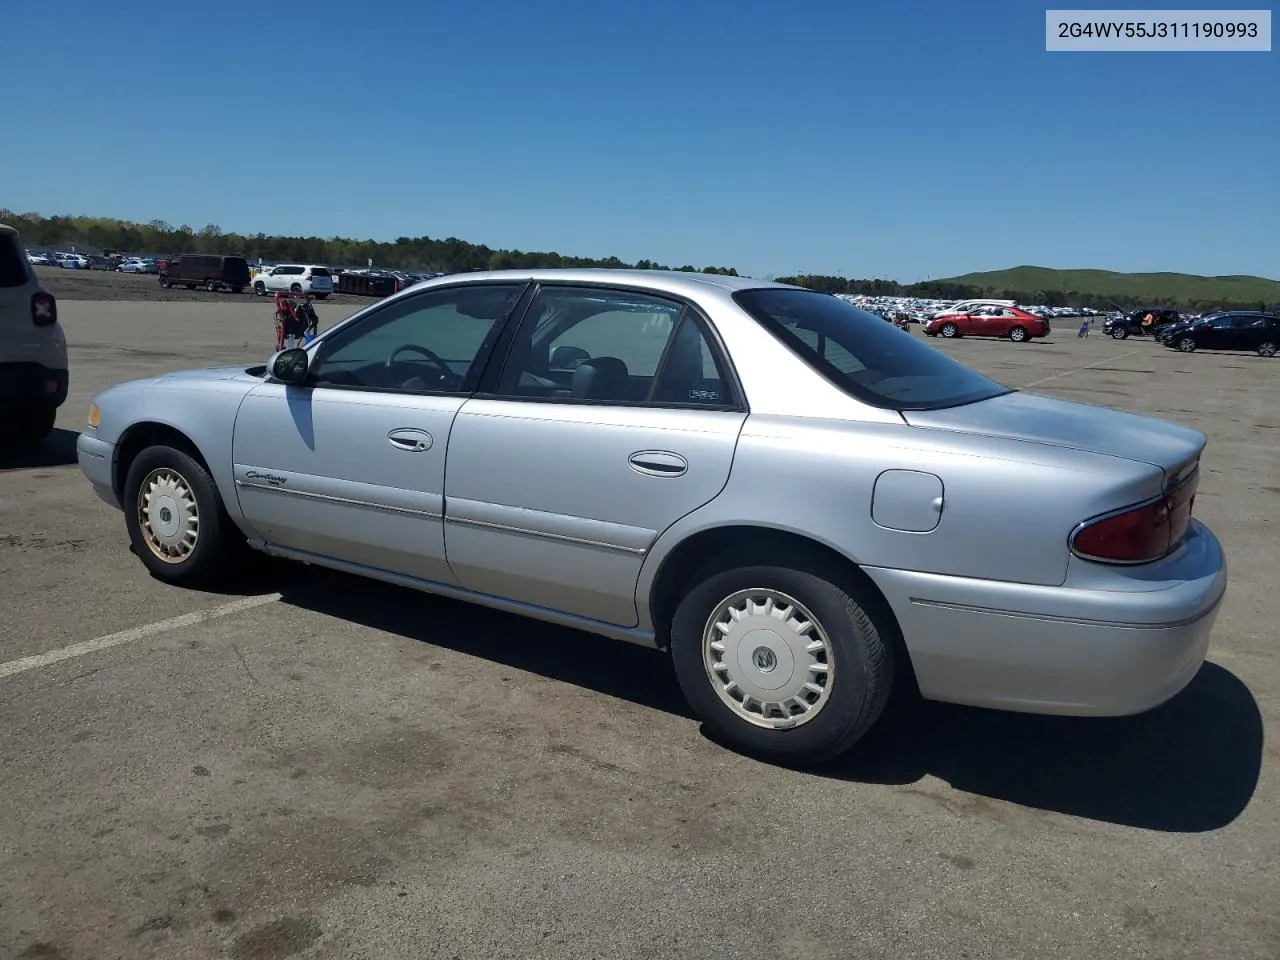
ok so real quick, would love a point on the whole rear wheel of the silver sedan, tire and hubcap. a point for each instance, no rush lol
(785, 662)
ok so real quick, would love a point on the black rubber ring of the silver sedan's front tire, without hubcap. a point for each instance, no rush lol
(218, 542)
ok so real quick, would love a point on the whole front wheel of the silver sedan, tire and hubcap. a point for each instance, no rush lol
(176, 518)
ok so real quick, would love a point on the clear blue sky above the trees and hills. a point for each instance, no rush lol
(899, 140)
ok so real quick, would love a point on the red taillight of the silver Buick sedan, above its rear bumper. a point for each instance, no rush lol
(1141, 534)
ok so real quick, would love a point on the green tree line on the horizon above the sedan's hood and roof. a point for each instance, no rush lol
(427, 254)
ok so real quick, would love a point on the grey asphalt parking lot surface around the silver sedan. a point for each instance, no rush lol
(314, 766)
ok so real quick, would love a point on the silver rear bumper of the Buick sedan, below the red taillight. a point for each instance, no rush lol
(1119, 642)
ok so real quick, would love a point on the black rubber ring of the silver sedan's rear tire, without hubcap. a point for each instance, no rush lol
(858, 636)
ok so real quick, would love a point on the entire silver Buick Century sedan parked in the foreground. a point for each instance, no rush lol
(796, 501)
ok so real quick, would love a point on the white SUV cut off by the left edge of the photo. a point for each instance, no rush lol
(33, 349)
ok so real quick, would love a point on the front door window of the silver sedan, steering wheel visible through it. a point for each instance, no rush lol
(433, 342)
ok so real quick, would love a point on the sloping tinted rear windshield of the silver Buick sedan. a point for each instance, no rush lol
(865, 356)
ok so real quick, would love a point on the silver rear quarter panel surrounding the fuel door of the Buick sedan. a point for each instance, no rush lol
(1009, 506)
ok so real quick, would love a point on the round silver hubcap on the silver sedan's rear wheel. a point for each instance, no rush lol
(769, 659)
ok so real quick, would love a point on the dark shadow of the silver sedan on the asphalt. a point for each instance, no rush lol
(1190, 766)
